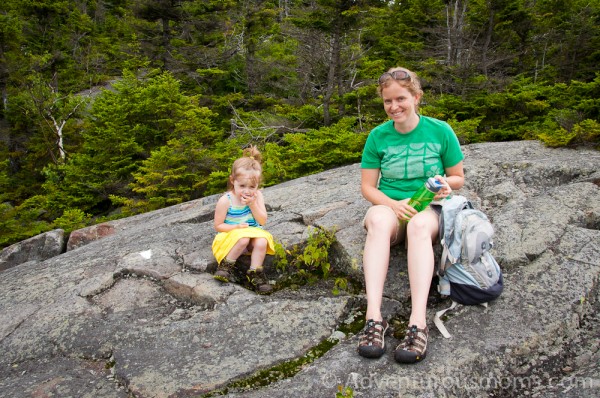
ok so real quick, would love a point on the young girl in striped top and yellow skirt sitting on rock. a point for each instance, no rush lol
(239, 217)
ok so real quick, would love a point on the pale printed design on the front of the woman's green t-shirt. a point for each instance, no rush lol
(411, 161)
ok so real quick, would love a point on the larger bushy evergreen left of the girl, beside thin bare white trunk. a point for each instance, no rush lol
(124, 126)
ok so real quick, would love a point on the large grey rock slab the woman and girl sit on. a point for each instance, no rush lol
(129, 308)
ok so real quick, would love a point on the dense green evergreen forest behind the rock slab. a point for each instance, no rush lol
(186, 84)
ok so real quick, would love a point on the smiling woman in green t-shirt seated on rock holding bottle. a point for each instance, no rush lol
(398, 157)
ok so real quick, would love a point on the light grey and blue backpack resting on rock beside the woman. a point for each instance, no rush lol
(468, 273)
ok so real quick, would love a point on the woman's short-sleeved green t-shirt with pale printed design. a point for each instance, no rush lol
(407, 160)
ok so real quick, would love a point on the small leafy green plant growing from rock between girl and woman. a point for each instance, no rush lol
(307, 263)
